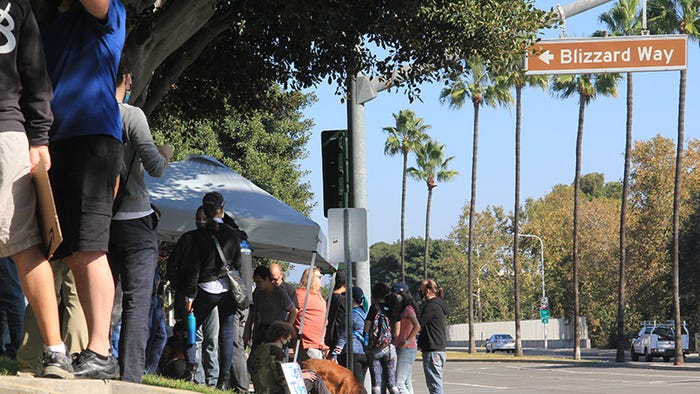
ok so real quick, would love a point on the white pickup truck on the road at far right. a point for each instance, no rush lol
(658, 339)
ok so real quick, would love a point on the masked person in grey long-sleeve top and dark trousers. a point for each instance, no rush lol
(133, 244)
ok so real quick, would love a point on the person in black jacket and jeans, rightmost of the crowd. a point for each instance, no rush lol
(432, 338)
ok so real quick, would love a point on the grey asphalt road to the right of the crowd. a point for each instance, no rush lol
(600, 375)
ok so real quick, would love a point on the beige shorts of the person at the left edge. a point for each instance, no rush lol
(18, 222)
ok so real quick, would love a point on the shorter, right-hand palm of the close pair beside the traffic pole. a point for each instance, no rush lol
(431, 166)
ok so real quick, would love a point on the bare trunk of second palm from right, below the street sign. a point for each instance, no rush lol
(621, 340)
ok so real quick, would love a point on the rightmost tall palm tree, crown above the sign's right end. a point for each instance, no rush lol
(681, 16)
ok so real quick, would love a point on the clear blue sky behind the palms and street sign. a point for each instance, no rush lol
(548, 142)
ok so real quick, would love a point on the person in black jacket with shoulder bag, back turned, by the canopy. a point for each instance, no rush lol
(206, 284)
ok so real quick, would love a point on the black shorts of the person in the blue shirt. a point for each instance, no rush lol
(83, 175)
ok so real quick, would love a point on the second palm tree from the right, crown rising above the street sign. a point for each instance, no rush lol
(622, 20)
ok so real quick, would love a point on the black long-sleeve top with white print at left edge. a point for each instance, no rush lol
(25, 88)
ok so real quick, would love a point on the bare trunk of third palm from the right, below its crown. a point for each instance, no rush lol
(577, 192)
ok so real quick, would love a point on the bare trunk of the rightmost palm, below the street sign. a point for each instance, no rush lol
(678, 359)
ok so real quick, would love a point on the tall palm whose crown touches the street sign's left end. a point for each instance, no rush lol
(519, 80)
